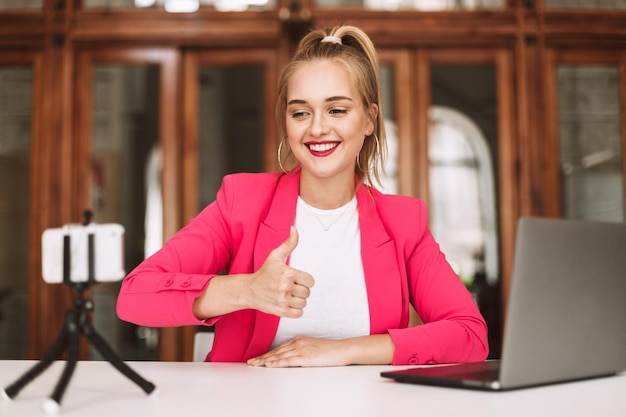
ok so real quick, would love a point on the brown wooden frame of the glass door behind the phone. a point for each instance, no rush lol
(168, 60)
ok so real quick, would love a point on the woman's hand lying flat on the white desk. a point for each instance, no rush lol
(304, 351)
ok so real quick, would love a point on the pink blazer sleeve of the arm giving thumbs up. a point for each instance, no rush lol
(160, 291)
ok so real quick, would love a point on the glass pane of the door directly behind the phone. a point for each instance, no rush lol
(125, 186)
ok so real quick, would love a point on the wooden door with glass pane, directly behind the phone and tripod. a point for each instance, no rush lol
(127, 168)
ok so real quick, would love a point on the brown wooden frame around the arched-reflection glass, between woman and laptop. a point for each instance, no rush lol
(509, 146)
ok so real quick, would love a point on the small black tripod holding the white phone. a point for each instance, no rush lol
(78, 321)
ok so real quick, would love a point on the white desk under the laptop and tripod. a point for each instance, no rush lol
(193, 389)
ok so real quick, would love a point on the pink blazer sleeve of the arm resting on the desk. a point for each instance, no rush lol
(453, 329)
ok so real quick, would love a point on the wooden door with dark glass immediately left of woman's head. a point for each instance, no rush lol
(229, 101)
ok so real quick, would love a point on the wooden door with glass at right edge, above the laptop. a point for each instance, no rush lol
(586, 133)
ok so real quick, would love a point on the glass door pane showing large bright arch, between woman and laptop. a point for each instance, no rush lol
(462, 154)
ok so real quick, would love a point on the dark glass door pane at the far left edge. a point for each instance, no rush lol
(16, 87)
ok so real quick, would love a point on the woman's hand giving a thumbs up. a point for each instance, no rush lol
(276, 287)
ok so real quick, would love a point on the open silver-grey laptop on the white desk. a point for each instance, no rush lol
(566, 318)
